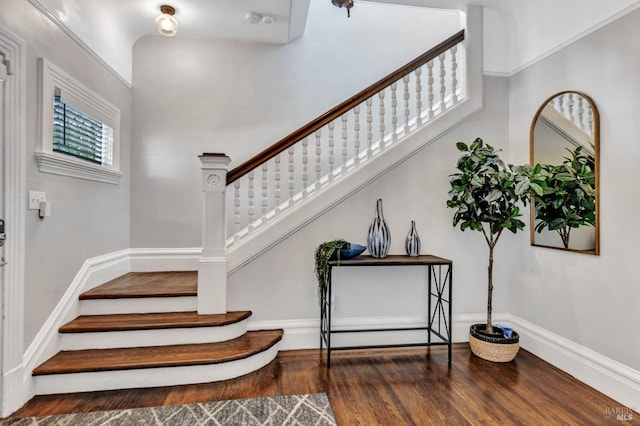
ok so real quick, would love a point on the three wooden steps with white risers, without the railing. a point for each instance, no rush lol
(141, 330)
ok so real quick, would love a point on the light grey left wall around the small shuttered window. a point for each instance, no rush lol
(88, 218)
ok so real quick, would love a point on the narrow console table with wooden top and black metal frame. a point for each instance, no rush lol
(439, 281)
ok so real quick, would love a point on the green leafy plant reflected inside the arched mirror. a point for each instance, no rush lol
(564, 195)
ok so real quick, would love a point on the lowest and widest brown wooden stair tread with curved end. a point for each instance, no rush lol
(93, 360)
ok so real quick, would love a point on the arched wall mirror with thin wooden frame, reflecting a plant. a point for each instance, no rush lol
(564, 148)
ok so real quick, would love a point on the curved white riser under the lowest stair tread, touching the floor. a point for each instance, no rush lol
(151, 377)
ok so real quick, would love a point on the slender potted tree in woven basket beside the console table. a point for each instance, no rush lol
(485, 193)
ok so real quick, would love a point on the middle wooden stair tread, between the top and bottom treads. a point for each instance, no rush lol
(150, 321)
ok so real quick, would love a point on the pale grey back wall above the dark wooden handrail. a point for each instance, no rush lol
(193, 96)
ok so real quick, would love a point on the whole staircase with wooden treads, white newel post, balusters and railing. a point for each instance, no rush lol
(170, 328)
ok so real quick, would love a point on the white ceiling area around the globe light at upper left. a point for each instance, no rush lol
(123, 22)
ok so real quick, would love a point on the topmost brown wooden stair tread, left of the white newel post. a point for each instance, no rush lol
(147, 284)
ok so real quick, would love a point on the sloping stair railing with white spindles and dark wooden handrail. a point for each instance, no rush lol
(335, 144)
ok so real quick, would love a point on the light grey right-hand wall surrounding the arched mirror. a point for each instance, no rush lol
(590, 300)
